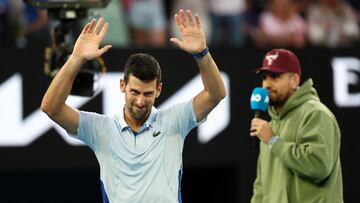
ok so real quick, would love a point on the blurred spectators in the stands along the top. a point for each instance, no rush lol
(231, 23)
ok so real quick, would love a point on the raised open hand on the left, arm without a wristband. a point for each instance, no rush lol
(87, 44)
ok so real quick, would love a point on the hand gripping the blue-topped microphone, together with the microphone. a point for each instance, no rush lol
(259, 102)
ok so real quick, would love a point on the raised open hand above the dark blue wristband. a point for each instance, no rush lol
(193, 38)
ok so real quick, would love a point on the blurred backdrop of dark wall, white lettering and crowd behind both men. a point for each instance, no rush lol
(39, 163)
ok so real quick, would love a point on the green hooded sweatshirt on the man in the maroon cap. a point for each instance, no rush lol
(303, 165)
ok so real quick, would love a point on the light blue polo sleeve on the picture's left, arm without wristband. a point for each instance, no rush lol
(89, 128)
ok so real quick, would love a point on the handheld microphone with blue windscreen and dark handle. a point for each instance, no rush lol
(259, 102)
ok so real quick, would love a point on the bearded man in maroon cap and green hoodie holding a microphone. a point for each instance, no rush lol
(299, 160)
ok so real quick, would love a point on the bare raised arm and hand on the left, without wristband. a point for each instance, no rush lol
(86, 48)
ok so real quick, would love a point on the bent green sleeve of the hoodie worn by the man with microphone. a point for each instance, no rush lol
(315, 155)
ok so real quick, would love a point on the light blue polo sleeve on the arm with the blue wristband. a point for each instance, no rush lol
(182, 117)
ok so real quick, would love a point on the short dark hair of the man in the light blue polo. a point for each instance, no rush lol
(143, 66)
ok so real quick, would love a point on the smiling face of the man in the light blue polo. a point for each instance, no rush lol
(139, 97)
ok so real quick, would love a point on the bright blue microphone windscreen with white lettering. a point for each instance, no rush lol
(259, 99)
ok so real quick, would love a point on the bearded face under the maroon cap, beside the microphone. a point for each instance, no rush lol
(280, 85)
